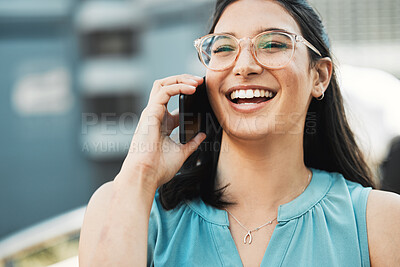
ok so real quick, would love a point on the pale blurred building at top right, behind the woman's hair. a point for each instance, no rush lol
(364, 33)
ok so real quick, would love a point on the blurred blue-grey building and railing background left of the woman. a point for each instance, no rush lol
(75, 76)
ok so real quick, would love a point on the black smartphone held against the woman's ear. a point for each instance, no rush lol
(192, 113)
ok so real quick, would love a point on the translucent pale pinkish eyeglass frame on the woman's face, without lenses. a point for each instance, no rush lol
(296, 38)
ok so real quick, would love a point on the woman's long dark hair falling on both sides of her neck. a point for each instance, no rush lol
(329, 143)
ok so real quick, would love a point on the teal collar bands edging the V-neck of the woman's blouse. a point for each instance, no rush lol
(283, 232)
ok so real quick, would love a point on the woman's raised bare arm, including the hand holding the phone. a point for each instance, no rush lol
(115, 228)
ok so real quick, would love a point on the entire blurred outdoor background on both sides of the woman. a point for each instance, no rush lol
(75, 75)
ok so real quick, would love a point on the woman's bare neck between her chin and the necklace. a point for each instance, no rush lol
(262, 174)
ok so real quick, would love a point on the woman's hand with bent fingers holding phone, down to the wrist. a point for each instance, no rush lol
(152, 152)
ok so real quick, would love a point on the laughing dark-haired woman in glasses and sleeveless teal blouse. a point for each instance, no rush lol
(266, 198)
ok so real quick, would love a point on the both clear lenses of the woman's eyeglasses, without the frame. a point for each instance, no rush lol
(271, 50)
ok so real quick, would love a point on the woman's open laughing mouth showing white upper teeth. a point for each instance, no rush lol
(250, 96)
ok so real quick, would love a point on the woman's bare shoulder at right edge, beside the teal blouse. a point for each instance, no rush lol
(383, 227)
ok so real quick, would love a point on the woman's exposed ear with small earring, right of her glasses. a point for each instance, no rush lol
(322, 73)
